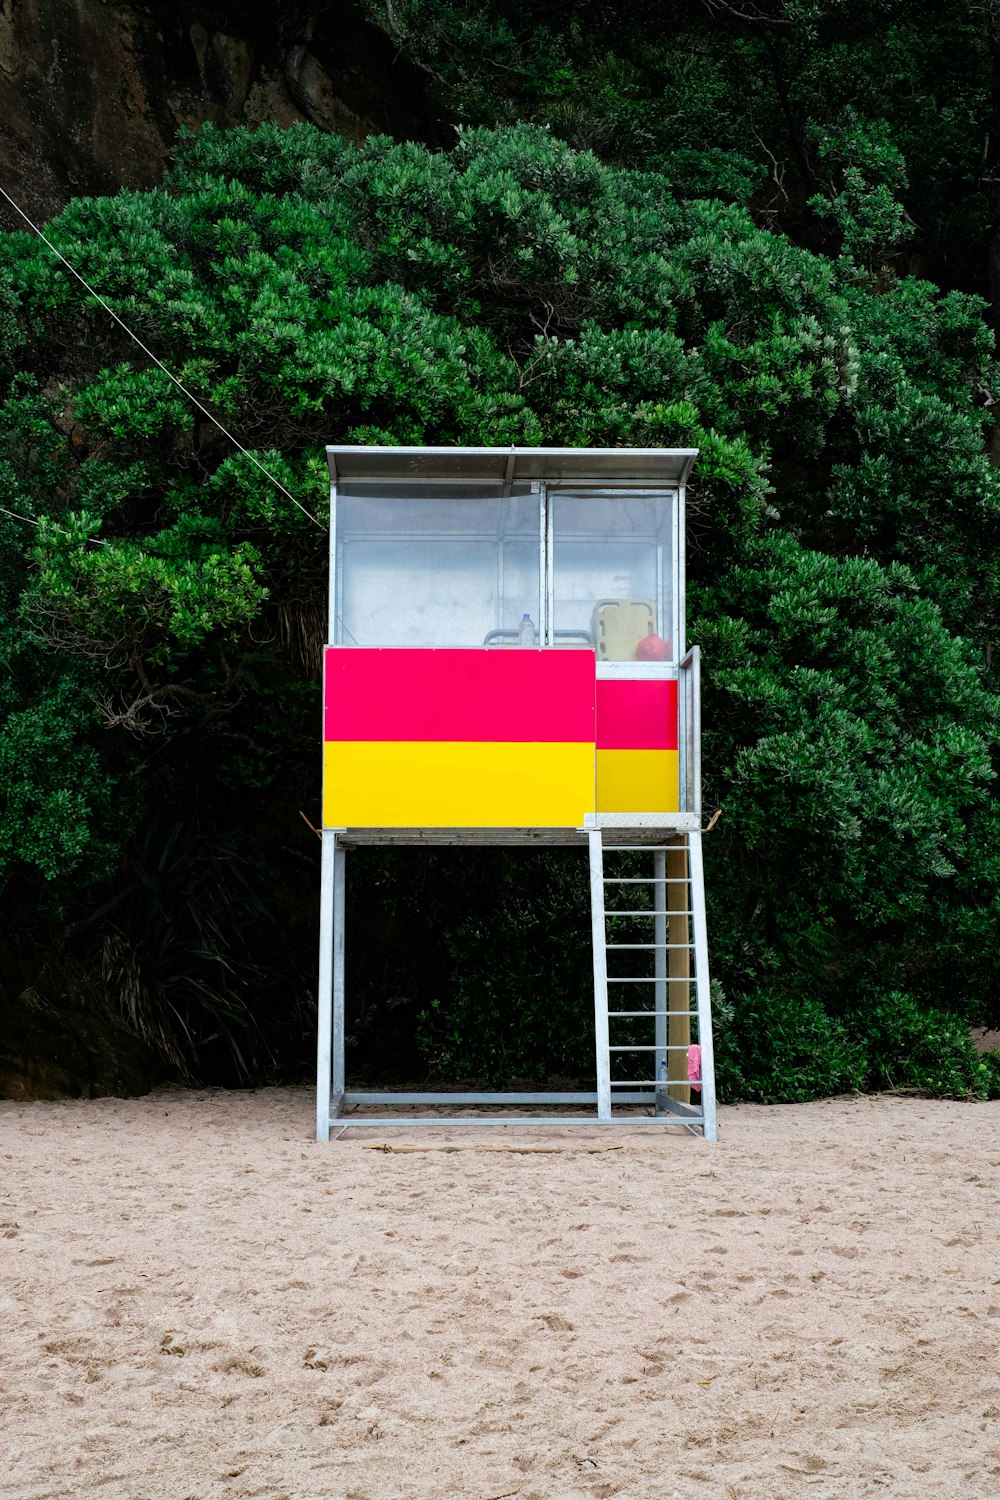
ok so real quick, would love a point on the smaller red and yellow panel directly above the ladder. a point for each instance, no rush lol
(638, 746)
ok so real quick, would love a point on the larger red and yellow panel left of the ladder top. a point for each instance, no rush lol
(458, 739)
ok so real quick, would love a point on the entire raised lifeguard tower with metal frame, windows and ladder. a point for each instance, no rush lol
(507, 665)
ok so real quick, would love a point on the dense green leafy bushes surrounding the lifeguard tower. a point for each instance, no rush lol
(163, 604)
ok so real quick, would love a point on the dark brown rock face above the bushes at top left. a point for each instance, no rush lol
(92, 92)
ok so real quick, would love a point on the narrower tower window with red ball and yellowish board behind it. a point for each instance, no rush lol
(612, 581)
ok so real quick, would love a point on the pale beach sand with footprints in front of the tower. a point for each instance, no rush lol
(200, 1301)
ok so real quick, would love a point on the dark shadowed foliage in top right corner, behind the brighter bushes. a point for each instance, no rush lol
(746, 104)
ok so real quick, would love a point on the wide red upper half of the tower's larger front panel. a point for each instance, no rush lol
(521, 697)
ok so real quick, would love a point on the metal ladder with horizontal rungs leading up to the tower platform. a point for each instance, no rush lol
(650, 962)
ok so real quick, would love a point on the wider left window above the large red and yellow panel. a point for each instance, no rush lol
(449, 569)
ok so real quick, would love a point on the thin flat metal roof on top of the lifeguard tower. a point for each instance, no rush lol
(509, 466)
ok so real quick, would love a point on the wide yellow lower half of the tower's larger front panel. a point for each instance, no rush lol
(407, 784)
